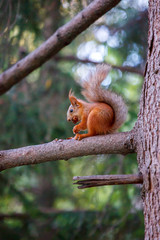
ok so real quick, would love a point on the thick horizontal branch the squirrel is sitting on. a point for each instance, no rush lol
(121, 143)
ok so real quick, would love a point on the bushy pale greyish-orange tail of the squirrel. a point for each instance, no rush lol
(93, 92)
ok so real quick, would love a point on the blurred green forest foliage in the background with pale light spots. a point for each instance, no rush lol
(34, 112)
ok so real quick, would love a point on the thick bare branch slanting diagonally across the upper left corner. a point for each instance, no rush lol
(61, 38)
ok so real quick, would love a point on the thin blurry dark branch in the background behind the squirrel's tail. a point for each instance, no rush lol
(122, 68)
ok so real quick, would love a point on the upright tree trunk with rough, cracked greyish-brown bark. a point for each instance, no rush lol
(148, 128)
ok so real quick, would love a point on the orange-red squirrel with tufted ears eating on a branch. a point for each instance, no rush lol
(104, 112)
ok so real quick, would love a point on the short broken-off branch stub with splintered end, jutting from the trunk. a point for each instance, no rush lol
(102, 180)
